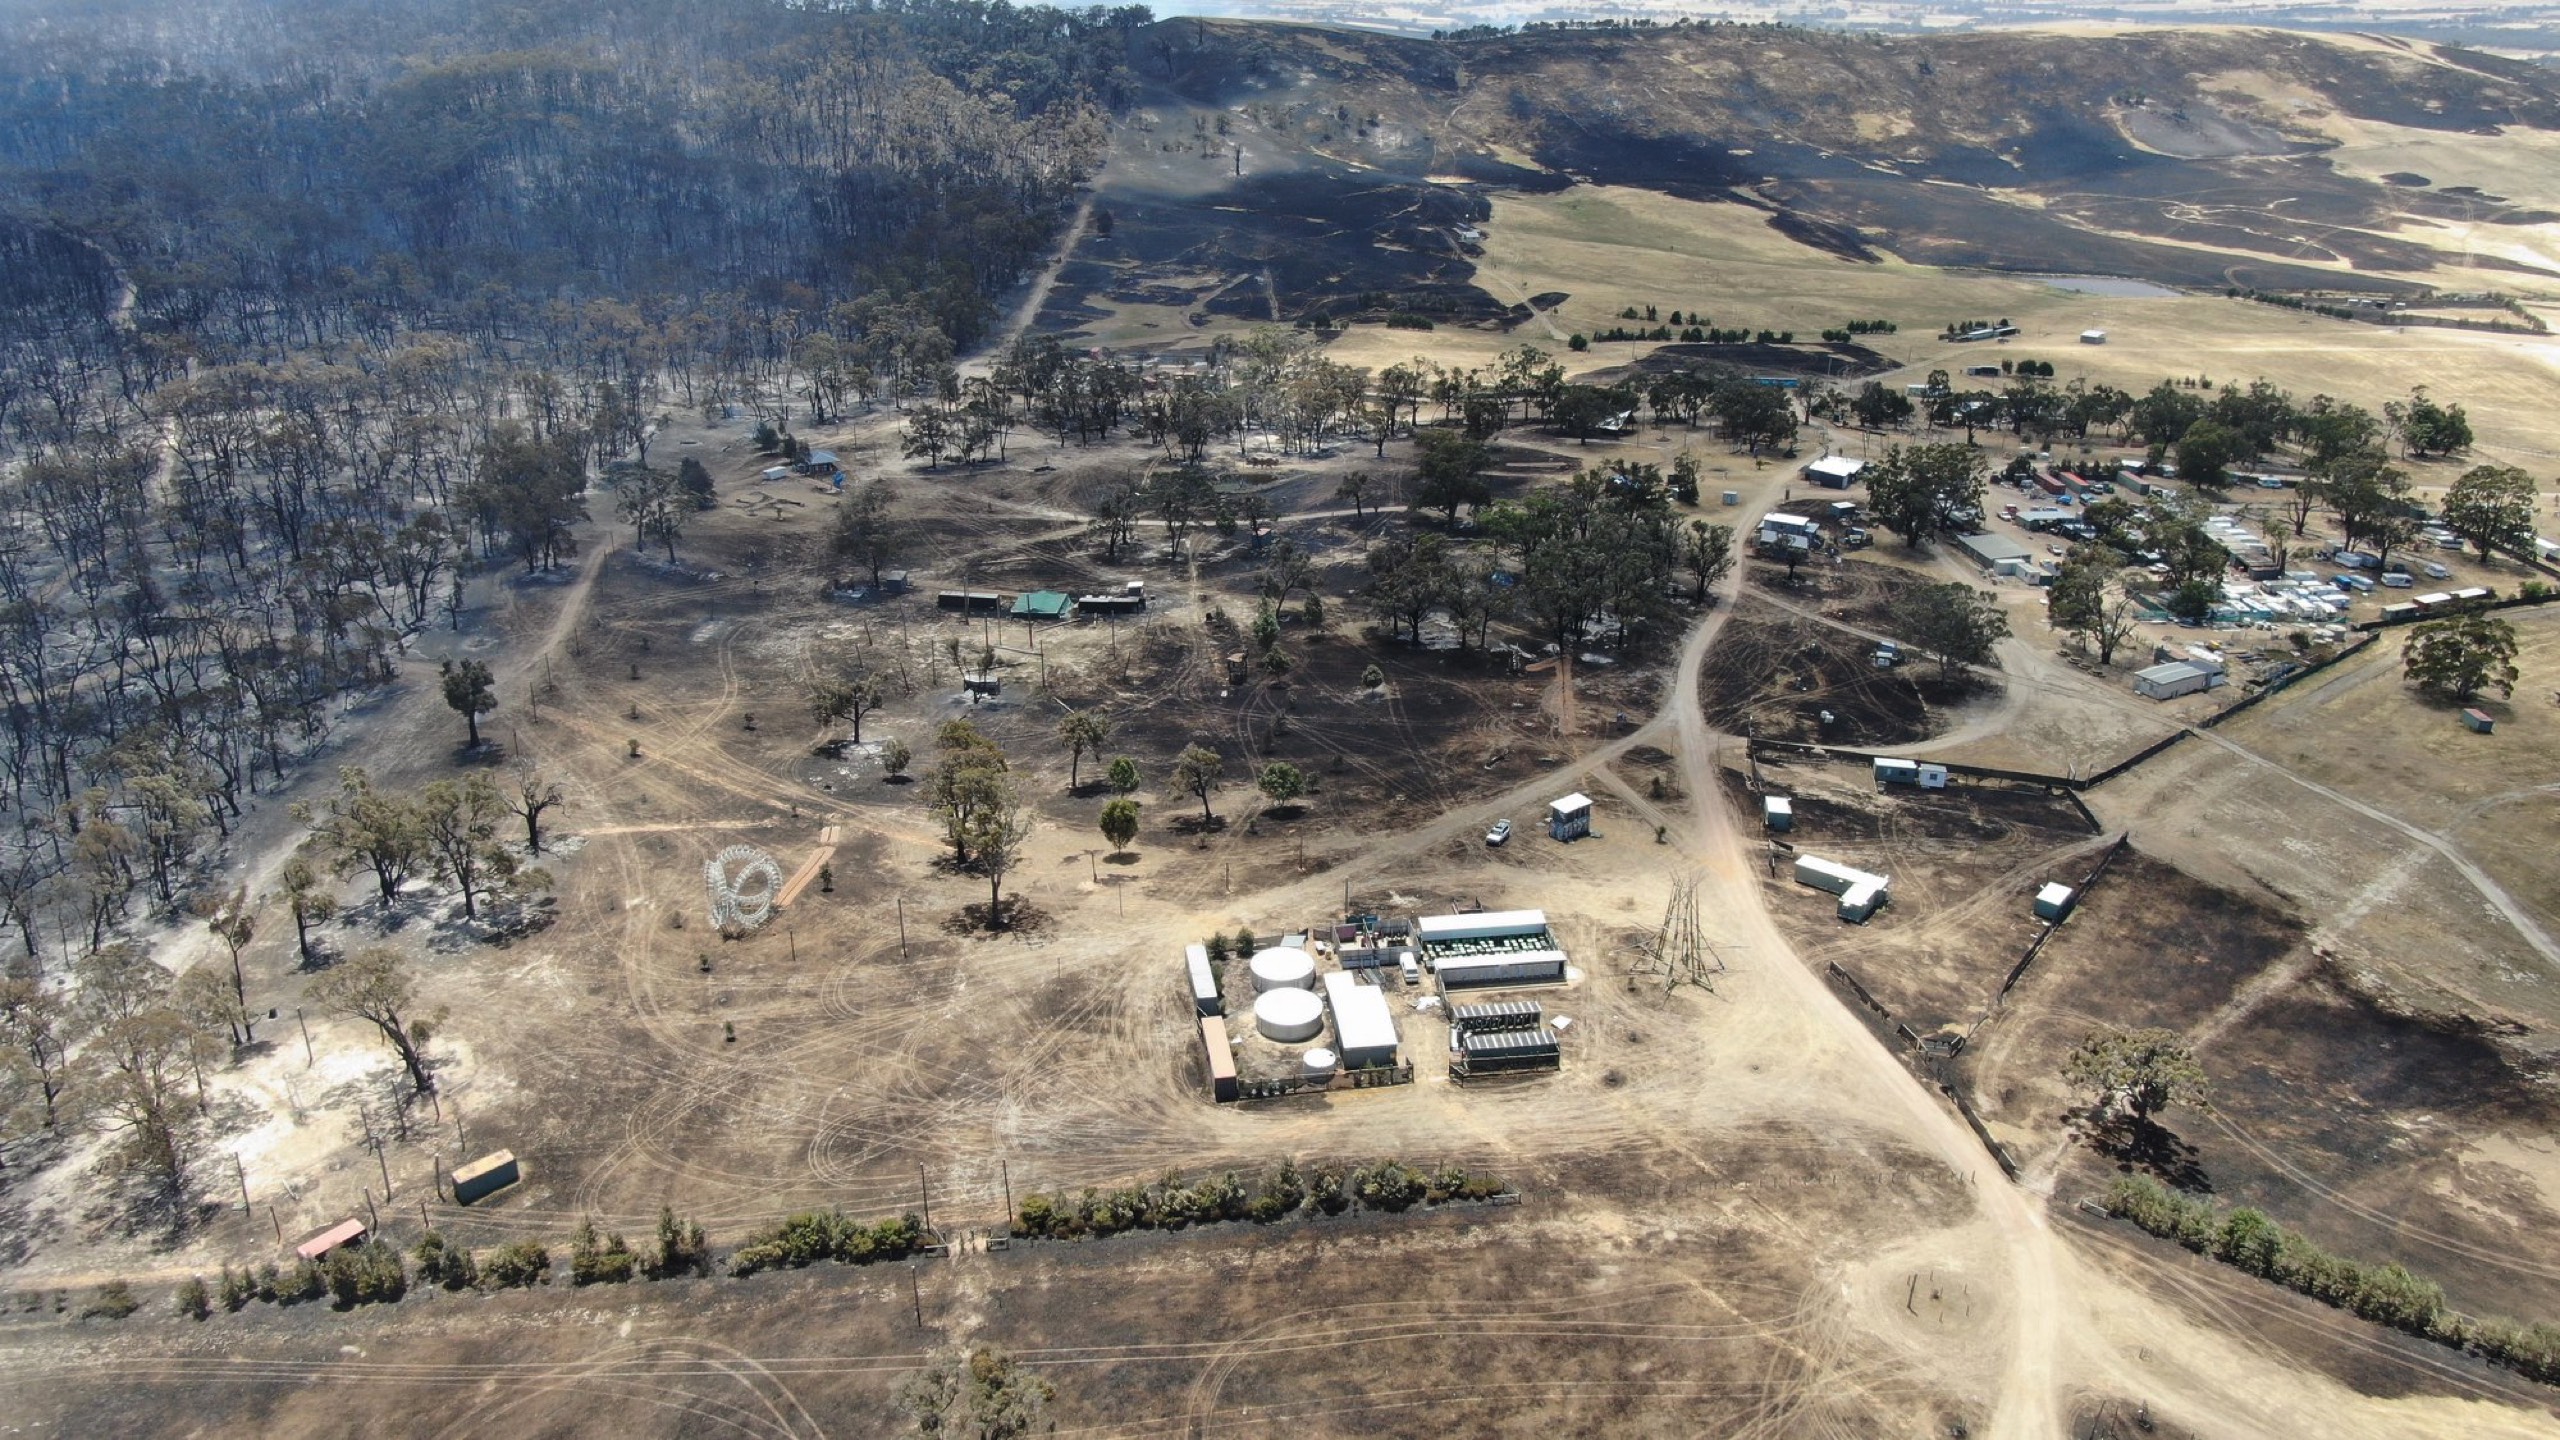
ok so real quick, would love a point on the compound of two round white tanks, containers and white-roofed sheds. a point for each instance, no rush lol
(1322, 1006)
